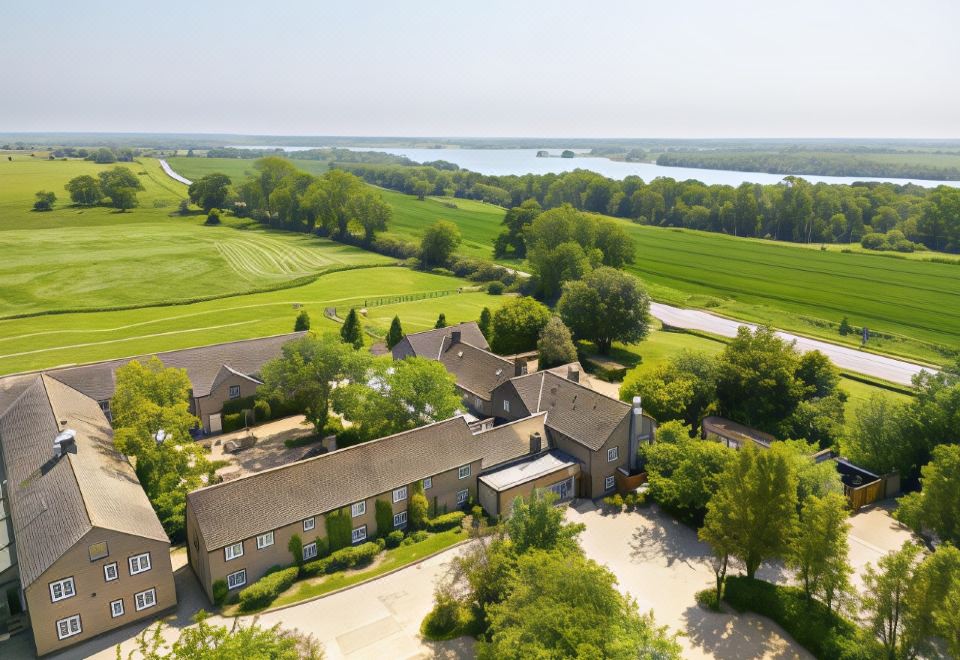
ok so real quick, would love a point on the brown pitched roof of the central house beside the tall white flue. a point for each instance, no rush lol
(575, 410)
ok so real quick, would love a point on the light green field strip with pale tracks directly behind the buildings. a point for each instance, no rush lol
(51, 340)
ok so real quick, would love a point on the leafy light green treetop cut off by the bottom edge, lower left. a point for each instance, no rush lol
(204, 641)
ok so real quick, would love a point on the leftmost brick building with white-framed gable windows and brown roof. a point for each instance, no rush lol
(81, 549)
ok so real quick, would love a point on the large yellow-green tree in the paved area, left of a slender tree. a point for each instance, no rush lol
(753, 513)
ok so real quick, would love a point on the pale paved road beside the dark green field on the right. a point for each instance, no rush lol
(850, 359)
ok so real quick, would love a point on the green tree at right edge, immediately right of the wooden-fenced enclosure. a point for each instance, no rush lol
(936, 507)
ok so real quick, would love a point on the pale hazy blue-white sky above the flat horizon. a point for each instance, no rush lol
(670, 68)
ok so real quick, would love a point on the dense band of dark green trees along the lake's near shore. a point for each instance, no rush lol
(793, 210)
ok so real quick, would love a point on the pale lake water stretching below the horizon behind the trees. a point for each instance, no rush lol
(525, 161)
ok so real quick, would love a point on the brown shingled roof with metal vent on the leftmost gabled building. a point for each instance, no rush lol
(54, 502)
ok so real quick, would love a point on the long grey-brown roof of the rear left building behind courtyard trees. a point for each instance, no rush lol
(203, 365)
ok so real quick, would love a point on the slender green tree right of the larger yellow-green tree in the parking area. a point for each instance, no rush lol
(819, 552)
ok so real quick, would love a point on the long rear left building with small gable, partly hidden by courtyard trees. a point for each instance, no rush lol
(217, 373)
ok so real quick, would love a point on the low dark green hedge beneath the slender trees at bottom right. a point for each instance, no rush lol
(824, 633)
